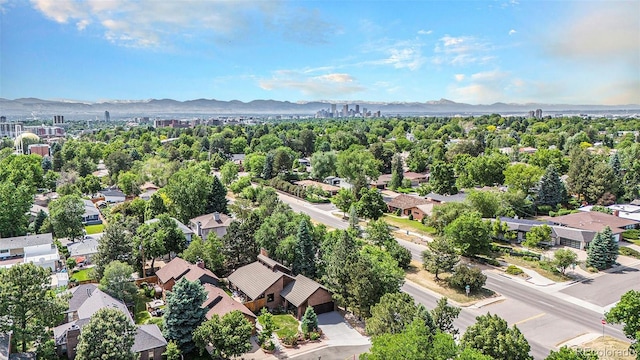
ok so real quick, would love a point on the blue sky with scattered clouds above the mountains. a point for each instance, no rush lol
(479, 52)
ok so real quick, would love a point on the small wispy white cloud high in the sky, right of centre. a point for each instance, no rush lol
(461, 50)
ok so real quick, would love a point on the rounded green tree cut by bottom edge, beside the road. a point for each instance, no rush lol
(492, 336)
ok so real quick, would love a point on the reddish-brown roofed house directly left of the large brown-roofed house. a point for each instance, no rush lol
(178, 268)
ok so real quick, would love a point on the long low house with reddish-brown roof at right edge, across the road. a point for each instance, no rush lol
(595, 221)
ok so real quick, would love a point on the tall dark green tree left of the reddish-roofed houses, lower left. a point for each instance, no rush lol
(116, 244)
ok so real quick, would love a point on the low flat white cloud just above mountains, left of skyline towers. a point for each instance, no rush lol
(315, 86)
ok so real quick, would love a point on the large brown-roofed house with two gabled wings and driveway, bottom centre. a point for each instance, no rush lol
(267, 283)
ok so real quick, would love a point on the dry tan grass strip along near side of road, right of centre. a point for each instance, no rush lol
(426, 279)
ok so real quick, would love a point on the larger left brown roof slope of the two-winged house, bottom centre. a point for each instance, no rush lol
(254, 279)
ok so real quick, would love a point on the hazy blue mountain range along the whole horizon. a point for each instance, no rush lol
(123, 108)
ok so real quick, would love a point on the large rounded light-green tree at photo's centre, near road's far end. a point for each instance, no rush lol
(358, 166)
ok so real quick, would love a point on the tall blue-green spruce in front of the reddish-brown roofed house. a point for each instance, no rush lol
(184, 313)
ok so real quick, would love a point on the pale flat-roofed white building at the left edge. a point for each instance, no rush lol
(38, 249)
